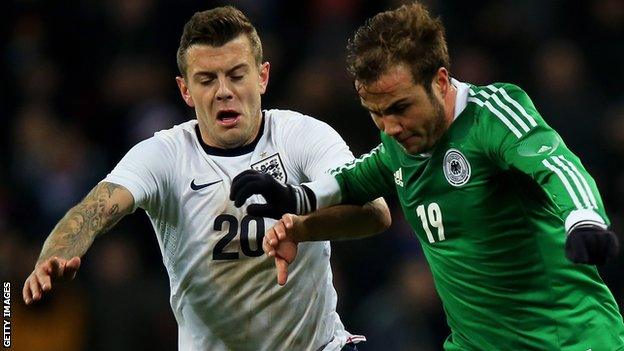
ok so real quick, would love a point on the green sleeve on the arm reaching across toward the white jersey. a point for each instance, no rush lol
(366, 178)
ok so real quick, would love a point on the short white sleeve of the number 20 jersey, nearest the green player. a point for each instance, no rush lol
(317, 148)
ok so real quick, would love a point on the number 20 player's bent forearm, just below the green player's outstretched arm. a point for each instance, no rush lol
(344, 222)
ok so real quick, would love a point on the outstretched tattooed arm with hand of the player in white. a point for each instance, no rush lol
(99, 211)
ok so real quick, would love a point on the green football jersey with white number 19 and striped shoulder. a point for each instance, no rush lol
(491, 205)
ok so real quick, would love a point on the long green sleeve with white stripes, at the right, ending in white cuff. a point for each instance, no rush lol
(514, 135)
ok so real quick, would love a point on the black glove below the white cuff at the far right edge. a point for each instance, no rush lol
(591, 245)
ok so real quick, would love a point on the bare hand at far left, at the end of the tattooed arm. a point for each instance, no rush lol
(53, 269)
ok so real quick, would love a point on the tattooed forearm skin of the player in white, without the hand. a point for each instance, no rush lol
(75, 232)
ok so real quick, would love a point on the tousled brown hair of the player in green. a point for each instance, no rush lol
(405, 35)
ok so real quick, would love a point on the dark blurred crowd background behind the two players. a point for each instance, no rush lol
(83, 81)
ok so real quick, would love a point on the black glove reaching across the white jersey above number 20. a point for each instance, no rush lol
(281, 198)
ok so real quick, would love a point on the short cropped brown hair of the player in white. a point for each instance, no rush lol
(216, 27)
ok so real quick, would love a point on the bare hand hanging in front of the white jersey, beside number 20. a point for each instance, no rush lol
(279, 243)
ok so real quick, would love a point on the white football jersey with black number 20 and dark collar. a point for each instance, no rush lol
(224, 293)
